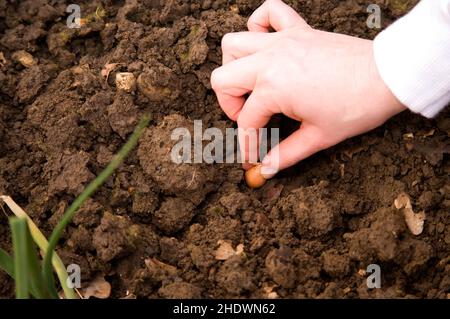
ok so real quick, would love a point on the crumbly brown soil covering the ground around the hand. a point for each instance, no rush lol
(153, 229)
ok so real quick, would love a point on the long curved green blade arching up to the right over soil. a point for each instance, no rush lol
(89, 190)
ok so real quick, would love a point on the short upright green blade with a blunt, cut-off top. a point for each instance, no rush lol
(19, 238)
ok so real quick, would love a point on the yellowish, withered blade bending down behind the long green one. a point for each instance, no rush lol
(42, 243)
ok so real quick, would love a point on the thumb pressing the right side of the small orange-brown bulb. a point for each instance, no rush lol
(301, 144)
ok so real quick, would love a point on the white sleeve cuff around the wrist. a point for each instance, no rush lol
(413, 57)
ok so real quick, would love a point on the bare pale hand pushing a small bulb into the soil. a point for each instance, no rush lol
(327, 81)
